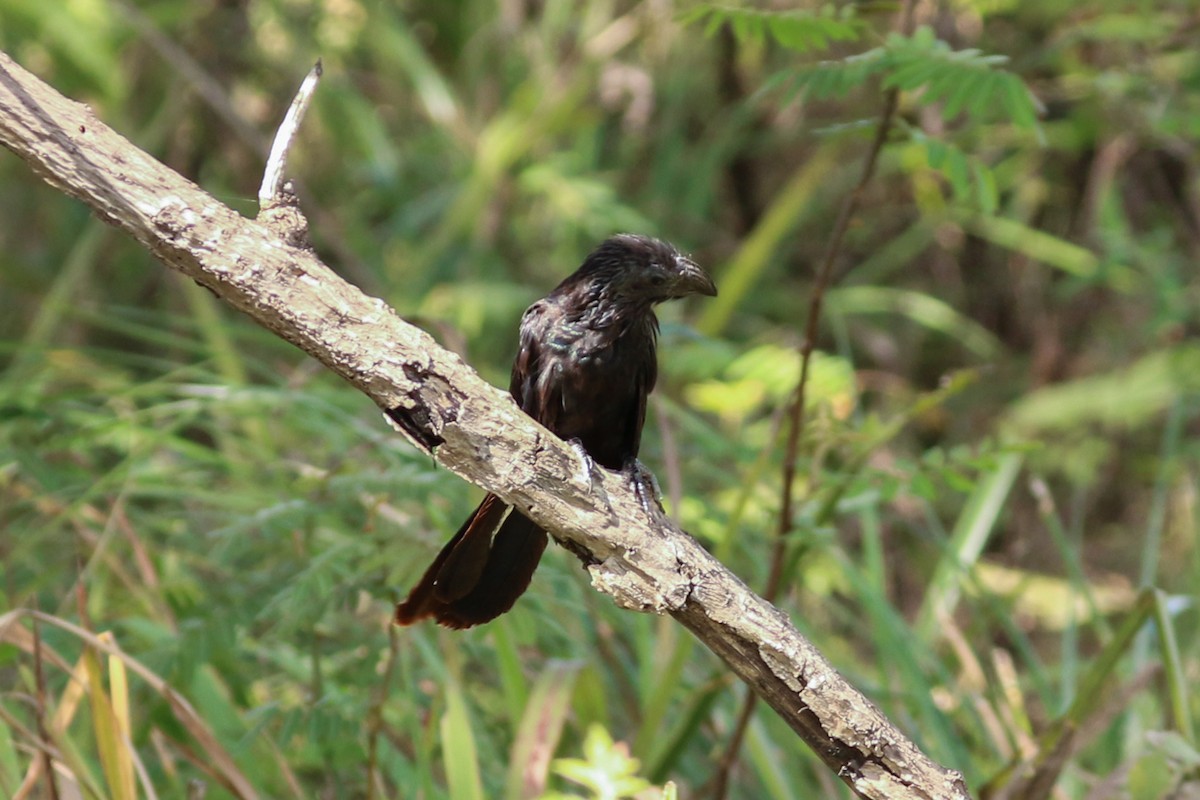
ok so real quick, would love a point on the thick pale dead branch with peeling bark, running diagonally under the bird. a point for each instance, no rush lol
(467, 426)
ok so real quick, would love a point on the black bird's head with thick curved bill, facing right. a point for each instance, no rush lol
(644, 270)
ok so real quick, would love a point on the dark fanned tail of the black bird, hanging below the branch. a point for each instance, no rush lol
(481, 573)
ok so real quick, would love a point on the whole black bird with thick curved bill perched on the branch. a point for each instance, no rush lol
(584, 371)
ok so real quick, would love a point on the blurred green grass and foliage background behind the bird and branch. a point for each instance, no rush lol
(1001, 446)
